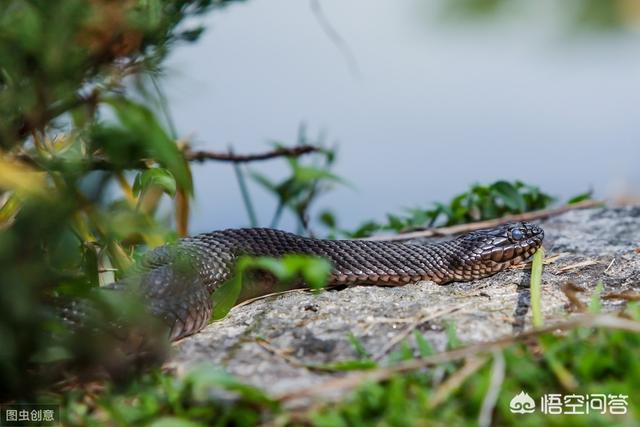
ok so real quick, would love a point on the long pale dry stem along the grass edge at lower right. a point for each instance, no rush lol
(353, 380)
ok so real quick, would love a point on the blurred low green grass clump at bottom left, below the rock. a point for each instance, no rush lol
(205, 396)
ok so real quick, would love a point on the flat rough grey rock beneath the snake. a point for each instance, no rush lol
(273, 342)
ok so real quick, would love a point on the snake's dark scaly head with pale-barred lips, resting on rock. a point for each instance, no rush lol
(489, 251)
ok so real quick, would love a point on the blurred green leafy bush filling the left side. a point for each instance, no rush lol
(75, 90)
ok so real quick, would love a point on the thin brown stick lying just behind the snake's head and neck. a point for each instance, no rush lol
(464, 228)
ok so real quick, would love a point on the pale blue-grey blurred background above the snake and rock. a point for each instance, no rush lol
(421, 99)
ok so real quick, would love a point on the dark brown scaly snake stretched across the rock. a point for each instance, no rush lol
(177, 281)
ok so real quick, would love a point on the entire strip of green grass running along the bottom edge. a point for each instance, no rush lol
(597, 361)
